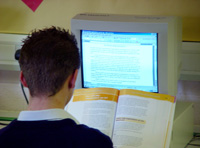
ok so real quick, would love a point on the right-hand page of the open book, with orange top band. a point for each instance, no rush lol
(142, 119)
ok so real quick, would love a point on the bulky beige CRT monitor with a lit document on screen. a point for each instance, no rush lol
(166, 44)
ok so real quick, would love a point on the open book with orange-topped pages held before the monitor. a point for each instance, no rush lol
(132, 118)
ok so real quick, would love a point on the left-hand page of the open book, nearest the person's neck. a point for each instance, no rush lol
(95, 107)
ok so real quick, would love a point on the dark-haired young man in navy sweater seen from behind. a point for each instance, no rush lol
(49, 62)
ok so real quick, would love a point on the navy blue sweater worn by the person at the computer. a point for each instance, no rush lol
(52, 134)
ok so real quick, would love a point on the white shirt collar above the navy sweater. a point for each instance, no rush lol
(49, 114)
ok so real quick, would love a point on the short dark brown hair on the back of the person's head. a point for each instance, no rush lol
(47, 59)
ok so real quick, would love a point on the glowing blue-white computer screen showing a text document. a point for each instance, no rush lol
(119, 60)
